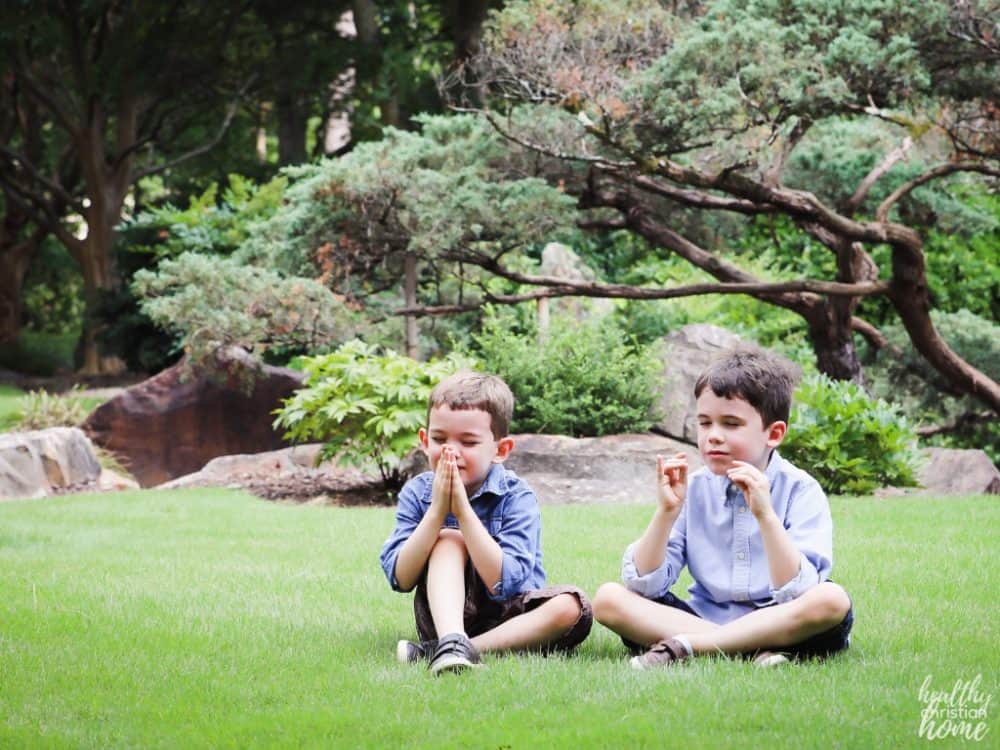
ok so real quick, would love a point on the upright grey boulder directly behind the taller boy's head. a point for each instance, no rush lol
(687, 353)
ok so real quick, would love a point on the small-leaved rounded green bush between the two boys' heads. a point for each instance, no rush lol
(586, 379)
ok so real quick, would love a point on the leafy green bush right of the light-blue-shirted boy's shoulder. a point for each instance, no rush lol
(850, 442)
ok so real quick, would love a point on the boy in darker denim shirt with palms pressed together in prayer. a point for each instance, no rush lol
(468, 537)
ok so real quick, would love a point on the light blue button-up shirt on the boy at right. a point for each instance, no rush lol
(719, 539)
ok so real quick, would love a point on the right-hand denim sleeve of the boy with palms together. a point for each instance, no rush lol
(519, 537)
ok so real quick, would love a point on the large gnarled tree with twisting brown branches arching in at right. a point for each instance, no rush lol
(705, 115)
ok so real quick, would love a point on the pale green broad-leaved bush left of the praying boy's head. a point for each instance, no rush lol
(367, 407)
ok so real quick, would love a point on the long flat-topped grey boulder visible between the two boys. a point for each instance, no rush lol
(611, 469)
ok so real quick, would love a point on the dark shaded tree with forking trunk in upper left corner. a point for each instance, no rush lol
(121, 88)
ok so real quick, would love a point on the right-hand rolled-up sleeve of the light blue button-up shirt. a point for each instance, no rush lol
(809, 524)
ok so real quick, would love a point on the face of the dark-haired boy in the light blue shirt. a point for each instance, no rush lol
(730, 429)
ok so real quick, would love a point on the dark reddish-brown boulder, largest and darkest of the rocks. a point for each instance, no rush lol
(174, 423)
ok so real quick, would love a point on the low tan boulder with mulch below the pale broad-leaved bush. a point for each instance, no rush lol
(289, 473)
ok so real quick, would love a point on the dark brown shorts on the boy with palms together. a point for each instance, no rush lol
(483, 613)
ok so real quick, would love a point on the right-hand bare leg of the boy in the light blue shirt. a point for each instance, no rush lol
(820, 608)
